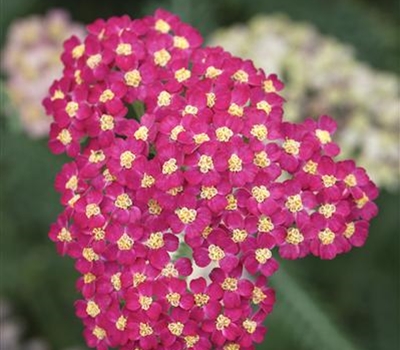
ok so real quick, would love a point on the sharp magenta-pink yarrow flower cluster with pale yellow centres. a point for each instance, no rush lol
(180, 148)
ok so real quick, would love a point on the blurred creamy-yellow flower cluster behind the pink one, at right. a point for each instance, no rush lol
(323, 75)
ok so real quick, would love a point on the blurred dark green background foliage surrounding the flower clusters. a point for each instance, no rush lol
(350, 303)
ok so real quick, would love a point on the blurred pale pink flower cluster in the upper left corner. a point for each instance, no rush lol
(31, 62)
